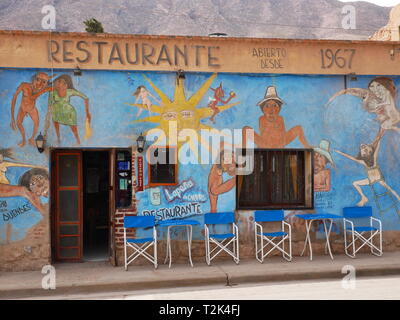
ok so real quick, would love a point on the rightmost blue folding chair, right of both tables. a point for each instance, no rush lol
(357, 232)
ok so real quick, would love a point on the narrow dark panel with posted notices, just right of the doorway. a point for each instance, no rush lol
(123, 179)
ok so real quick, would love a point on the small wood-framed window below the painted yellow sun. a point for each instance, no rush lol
(163, 168)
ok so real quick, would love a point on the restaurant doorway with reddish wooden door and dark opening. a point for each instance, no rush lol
(81, 201)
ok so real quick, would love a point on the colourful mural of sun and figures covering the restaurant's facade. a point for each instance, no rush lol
(354, 133)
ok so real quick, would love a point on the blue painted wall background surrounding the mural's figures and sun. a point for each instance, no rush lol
(344, 123)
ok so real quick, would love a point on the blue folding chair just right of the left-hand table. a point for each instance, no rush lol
(221, 241)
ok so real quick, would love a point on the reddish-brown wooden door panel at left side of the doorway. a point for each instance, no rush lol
(68, 197)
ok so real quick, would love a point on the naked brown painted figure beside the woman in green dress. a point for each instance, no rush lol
(30, 92)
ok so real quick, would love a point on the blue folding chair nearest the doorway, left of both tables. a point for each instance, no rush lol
(140, 245)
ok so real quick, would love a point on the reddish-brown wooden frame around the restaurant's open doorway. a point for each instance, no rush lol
(53, 201)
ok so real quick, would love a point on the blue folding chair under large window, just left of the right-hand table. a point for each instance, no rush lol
(270, 237)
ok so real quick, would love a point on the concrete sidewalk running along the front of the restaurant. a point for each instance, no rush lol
(97, 277)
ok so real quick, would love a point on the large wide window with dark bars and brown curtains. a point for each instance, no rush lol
(281, 179)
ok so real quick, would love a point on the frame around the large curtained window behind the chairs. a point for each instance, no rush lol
(289, 206)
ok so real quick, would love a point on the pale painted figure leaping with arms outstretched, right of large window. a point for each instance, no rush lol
(368, 157)
